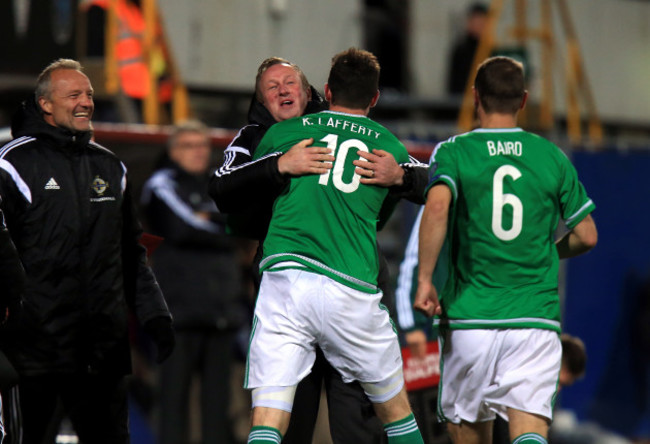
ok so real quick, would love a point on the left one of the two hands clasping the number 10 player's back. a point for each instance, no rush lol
(302, 159)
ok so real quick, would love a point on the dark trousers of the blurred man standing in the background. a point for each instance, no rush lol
(208, 354)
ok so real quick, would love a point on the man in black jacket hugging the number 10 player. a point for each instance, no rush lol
(246, 190)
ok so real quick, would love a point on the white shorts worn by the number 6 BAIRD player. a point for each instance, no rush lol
(483, 372)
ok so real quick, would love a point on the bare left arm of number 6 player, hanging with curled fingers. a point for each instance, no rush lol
(433, 230)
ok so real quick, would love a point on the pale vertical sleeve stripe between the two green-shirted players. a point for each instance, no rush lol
(404, 290)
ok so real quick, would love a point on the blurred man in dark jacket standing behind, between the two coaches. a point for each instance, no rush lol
(198, 270)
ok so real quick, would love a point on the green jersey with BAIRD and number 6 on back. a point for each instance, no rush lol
(510, 188)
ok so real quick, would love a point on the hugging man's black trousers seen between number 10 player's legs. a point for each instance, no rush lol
(351, 414)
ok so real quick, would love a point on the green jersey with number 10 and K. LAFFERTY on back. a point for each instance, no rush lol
(328, 223)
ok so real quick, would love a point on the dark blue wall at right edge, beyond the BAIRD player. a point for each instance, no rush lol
(607, 300)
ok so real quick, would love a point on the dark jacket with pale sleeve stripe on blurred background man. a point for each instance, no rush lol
(197, 264)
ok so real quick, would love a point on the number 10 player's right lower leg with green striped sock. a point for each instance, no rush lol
(398, 420)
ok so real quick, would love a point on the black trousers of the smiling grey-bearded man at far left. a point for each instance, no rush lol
(96, 405)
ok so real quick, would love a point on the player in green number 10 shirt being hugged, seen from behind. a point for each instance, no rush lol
(320, 265)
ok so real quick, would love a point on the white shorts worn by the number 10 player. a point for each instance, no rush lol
(296, 310)
